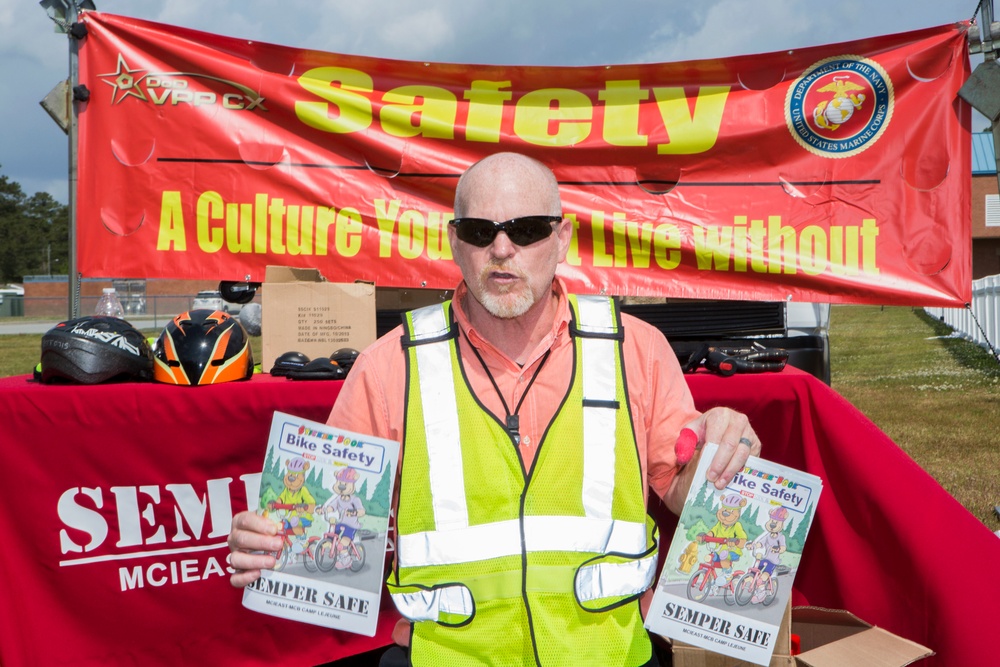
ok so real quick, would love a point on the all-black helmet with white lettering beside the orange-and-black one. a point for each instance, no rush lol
(94, 349)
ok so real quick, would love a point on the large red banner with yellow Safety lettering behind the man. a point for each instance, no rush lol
(837, 173)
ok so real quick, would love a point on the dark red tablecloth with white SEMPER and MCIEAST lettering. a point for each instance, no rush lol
(117, 502)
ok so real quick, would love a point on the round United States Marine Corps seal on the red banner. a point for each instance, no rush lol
(840, 106)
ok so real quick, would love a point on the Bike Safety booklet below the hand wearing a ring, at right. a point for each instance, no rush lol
(727, 575)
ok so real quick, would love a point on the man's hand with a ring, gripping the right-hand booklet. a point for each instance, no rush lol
(737, 440)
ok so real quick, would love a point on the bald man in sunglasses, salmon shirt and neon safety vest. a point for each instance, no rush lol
(522, 536)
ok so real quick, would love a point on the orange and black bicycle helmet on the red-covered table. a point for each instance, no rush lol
(202, 347)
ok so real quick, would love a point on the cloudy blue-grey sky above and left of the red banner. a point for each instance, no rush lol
(34, 58)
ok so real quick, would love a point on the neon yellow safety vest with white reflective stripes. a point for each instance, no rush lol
(496, 565)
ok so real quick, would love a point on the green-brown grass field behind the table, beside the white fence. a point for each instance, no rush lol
(936, 396)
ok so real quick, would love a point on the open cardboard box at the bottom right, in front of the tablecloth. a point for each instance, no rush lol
(828, 638)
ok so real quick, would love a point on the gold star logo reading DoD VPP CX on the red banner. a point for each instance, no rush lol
(177, 88)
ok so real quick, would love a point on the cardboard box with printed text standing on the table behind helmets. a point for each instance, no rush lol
(302, 312)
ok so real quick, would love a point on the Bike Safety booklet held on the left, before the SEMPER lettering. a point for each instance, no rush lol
(330, 492)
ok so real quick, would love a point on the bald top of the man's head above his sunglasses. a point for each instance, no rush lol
(504, 180)
